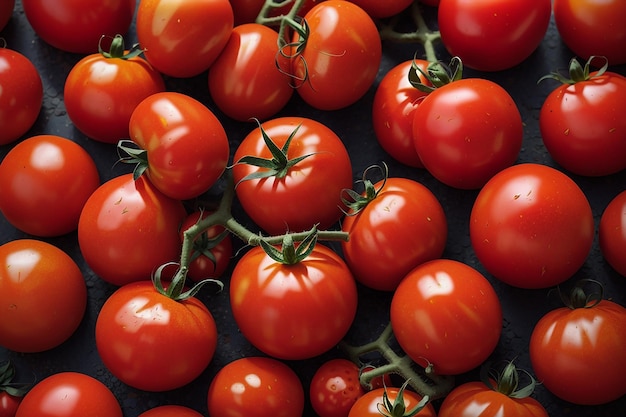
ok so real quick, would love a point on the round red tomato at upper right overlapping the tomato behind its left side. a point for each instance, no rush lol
(467, 131)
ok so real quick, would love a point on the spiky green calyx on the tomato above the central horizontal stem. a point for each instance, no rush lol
(279, 165)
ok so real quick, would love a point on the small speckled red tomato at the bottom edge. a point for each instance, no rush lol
(335, 388)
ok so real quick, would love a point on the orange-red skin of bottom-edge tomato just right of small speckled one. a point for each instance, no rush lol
(368, 404)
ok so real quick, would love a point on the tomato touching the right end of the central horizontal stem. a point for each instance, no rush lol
(403, 227)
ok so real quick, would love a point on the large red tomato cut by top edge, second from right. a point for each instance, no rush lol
(493, 35)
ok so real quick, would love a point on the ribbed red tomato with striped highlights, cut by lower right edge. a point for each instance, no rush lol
(578, 354)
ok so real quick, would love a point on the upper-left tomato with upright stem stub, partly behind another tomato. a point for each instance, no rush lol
(102, 90)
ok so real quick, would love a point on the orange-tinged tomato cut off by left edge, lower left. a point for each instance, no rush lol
(38, 313)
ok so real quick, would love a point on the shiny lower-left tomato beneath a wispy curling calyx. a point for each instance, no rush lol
(138, 327)
